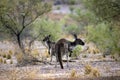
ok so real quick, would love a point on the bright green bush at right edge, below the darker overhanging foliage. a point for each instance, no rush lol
(102, 34)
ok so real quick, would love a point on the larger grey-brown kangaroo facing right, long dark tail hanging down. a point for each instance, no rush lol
(63, 46)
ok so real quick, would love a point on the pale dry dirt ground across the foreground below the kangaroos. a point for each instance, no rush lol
(108, 70)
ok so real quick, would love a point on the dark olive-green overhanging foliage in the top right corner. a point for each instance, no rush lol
(106, 9)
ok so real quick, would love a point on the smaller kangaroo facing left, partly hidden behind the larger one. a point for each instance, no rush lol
(51, 46)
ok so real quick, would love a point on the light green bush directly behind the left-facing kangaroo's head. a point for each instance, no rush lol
(48, 27)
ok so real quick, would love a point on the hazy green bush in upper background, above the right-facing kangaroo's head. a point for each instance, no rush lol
(84, 17)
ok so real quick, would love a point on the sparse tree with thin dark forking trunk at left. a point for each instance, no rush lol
(18, 15)
